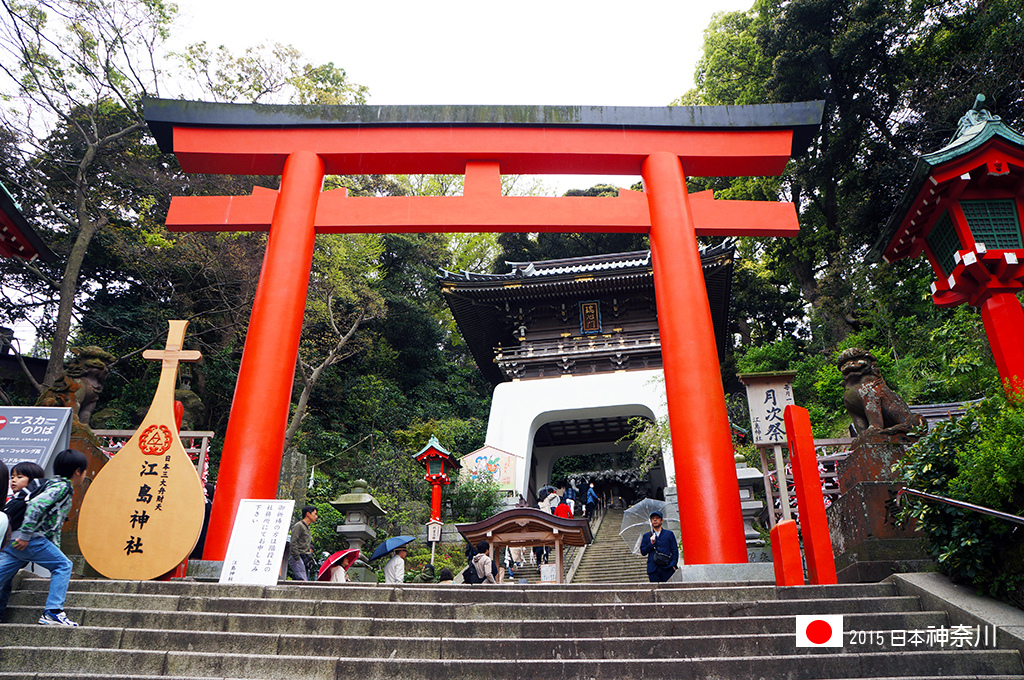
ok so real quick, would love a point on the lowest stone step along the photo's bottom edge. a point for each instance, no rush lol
(69, 662)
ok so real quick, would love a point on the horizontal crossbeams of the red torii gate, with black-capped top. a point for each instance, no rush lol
(483, 143)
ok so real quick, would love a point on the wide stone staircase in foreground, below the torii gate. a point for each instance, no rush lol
(182, 629)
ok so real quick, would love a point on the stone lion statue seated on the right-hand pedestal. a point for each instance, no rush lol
(870, 402)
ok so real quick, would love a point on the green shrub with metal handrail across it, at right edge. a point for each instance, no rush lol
(979, 459)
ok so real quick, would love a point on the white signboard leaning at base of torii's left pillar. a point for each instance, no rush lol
(258, 545)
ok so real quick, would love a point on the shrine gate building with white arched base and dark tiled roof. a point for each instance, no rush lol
(574, 352)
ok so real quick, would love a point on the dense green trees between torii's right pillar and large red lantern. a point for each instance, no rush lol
(883, 69)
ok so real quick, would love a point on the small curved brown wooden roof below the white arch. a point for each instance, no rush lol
(528, 527)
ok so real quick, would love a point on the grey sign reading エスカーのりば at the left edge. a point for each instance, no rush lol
(33, 435)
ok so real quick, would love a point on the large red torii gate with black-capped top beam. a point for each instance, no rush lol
(662, 145)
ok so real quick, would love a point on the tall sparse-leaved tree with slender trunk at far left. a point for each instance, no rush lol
(75, 73)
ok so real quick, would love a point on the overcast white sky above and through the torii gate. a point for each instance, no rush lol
(479, 53)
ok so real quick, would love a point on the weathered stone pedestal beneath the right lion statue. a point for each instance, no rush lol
(867, 542)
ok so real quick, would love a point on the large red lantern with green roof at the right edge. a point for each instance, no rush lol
(963, 211)
